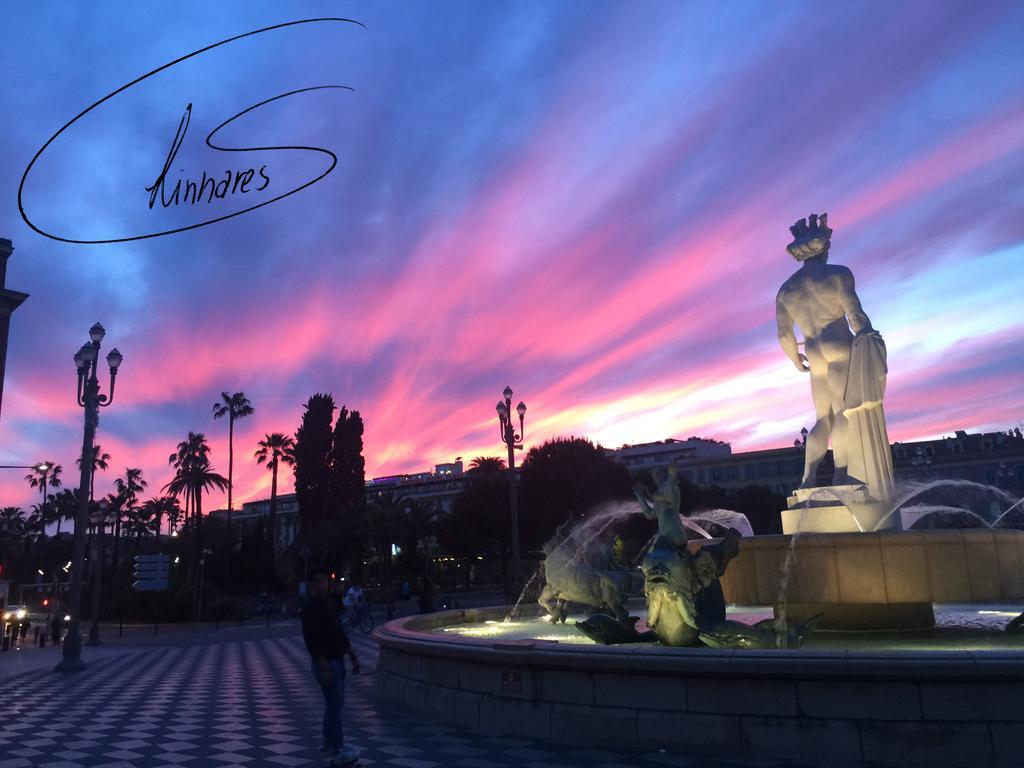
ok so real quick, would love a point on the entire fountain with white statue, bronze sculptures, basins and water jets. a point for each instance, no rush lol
(863, 633)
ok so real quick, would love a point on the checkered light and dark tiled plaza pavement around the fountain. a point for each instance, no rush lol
(206, 703)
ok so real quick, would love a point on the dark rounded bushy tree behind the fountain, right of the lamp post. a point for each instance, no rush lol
(565, 478)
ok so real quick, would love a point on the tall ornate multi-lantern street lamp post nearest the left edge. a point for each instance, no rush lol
(88, 363)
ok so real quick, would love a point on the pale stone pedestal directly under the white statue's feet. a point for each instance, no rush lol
(837, 509)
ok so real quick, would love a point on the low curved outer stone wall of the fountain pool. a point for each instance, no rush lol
(930, 709)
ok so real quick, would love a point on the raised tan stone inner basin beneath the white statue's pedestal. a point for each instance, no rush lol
(878, 581)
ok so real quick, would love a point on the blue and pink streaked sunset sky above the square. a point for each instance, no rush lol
(588, 201)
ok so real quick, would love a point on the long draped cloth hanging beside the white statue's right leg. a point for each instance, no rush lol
(871, 459)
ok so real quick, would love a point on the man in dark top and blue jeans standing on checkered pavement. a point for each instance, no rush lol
(328, 646)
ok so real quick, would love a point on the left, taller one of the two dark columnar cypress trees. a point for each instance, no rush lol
(314, 448)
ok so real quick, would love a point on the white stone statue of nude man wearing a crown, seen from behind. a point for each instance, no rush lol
(822, 301)
